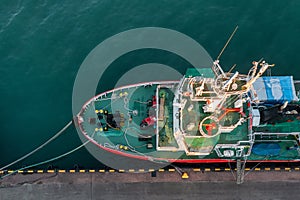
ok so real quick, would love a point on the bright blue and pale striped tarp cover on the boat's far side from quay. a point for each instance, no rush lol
(275, 89)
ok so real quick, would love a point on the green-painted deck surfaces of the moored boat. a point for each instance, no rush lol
(132, 106)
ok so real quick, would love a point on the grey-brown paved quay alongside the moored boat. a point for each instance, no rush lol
(166, 185)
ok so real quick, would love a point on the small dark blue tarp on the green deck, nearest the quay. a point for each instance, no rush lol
(266, 149)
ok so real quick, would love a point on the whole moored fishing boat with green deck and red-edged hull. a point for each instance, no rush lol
(209, 116)
